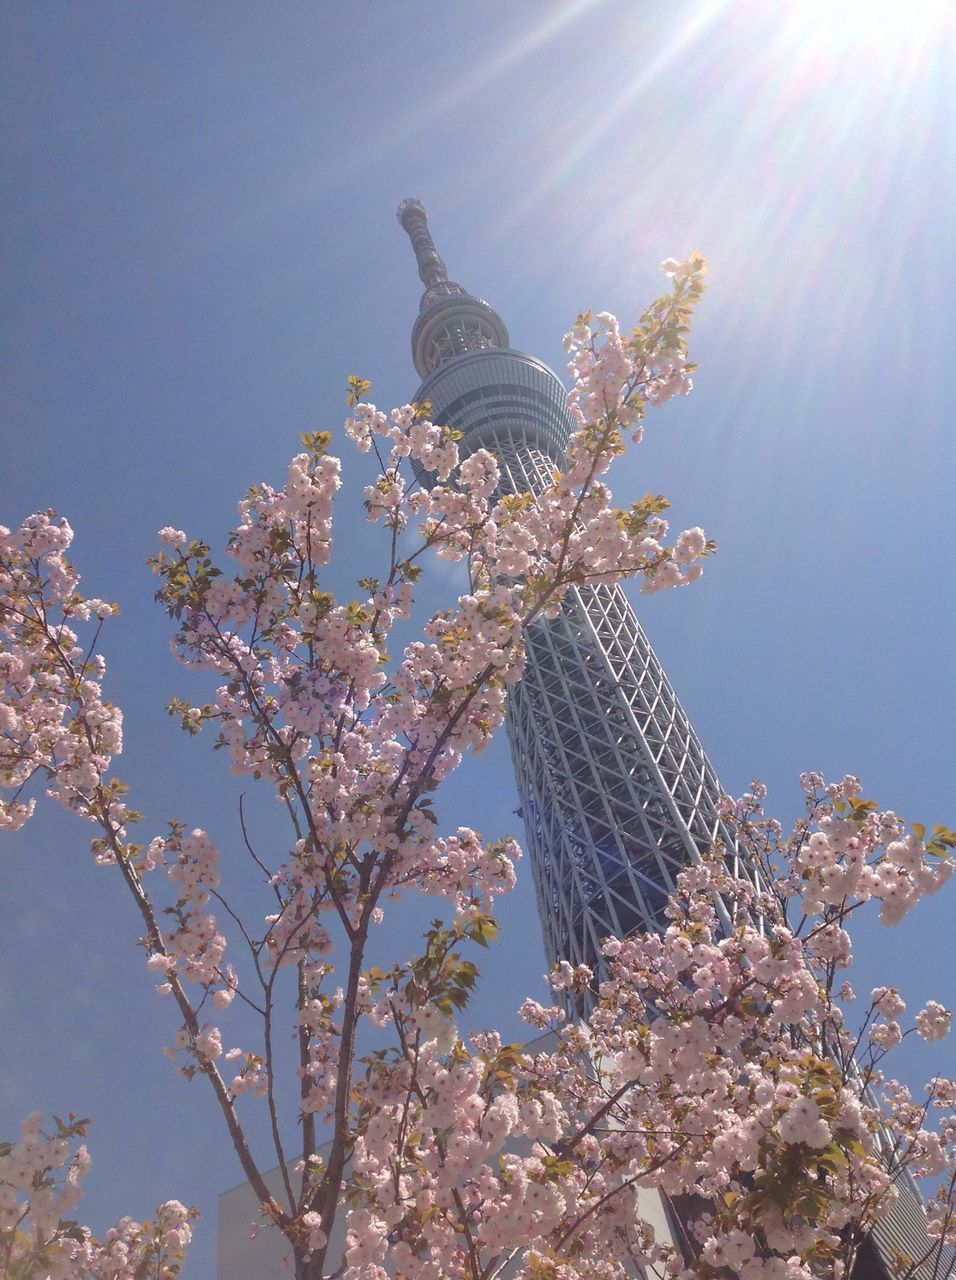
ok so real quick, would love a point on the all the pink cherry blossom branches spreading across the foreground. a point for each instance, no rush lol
(722, 1064)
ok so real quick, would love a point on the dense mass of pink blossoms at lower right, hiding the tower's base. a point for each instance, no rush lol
(701, 1073)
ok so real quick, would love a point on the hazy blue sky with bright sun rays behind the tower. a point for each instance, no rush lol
(200, 245)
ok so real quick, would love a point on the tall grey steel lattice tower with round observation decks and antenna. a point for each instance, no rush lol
(616, 792)
